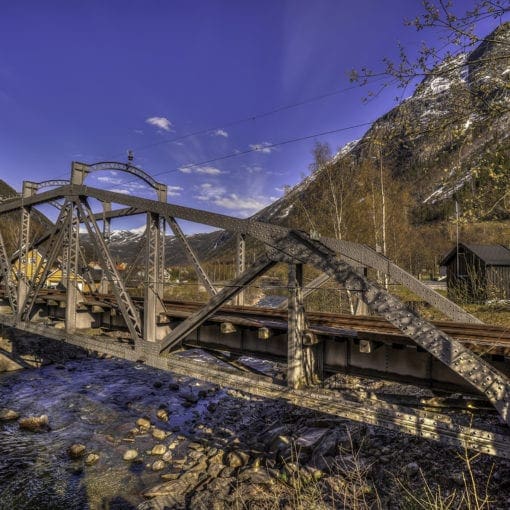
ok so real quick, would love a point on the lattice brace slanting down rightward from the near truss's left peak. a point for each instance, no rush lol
(127, 308)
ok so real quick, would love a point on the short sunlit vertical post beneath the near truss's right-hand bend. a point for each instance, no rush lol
(296, 326)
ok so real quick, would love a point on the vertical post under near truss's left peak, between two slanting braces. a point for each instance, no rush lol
(72, 251)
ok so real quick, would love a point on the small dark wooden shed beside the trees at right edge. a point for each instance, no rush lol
(478, 272)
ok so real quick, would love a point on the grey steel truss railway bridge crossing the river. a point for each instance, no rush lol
(461, 355)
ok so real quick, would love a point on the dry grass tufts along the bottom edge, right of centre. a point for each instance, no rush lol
(350, 486)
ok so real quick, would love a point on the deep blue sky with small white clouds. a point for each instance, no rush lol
(89, 80)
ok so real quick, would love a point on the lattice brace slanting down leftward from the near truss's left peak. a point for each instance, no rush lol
(44, 267)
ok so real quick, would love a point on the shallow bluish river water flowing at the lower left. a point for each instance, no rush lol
(94, 402)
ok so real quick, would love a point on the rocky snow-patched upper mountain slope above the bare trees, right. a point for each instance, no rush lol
(440, 140)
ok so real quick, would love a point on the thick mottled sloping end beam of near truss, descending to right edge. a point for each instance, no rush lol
(480, 374)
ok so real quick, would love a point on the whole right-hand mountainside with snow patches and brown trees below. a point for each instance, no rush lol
(448, 142)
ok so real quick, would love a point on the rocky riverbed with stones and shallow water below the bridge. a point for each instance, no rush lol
(103, 433)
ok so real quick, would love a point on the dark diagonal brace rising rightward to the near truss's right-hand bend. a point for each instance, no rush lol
(186, 327)
